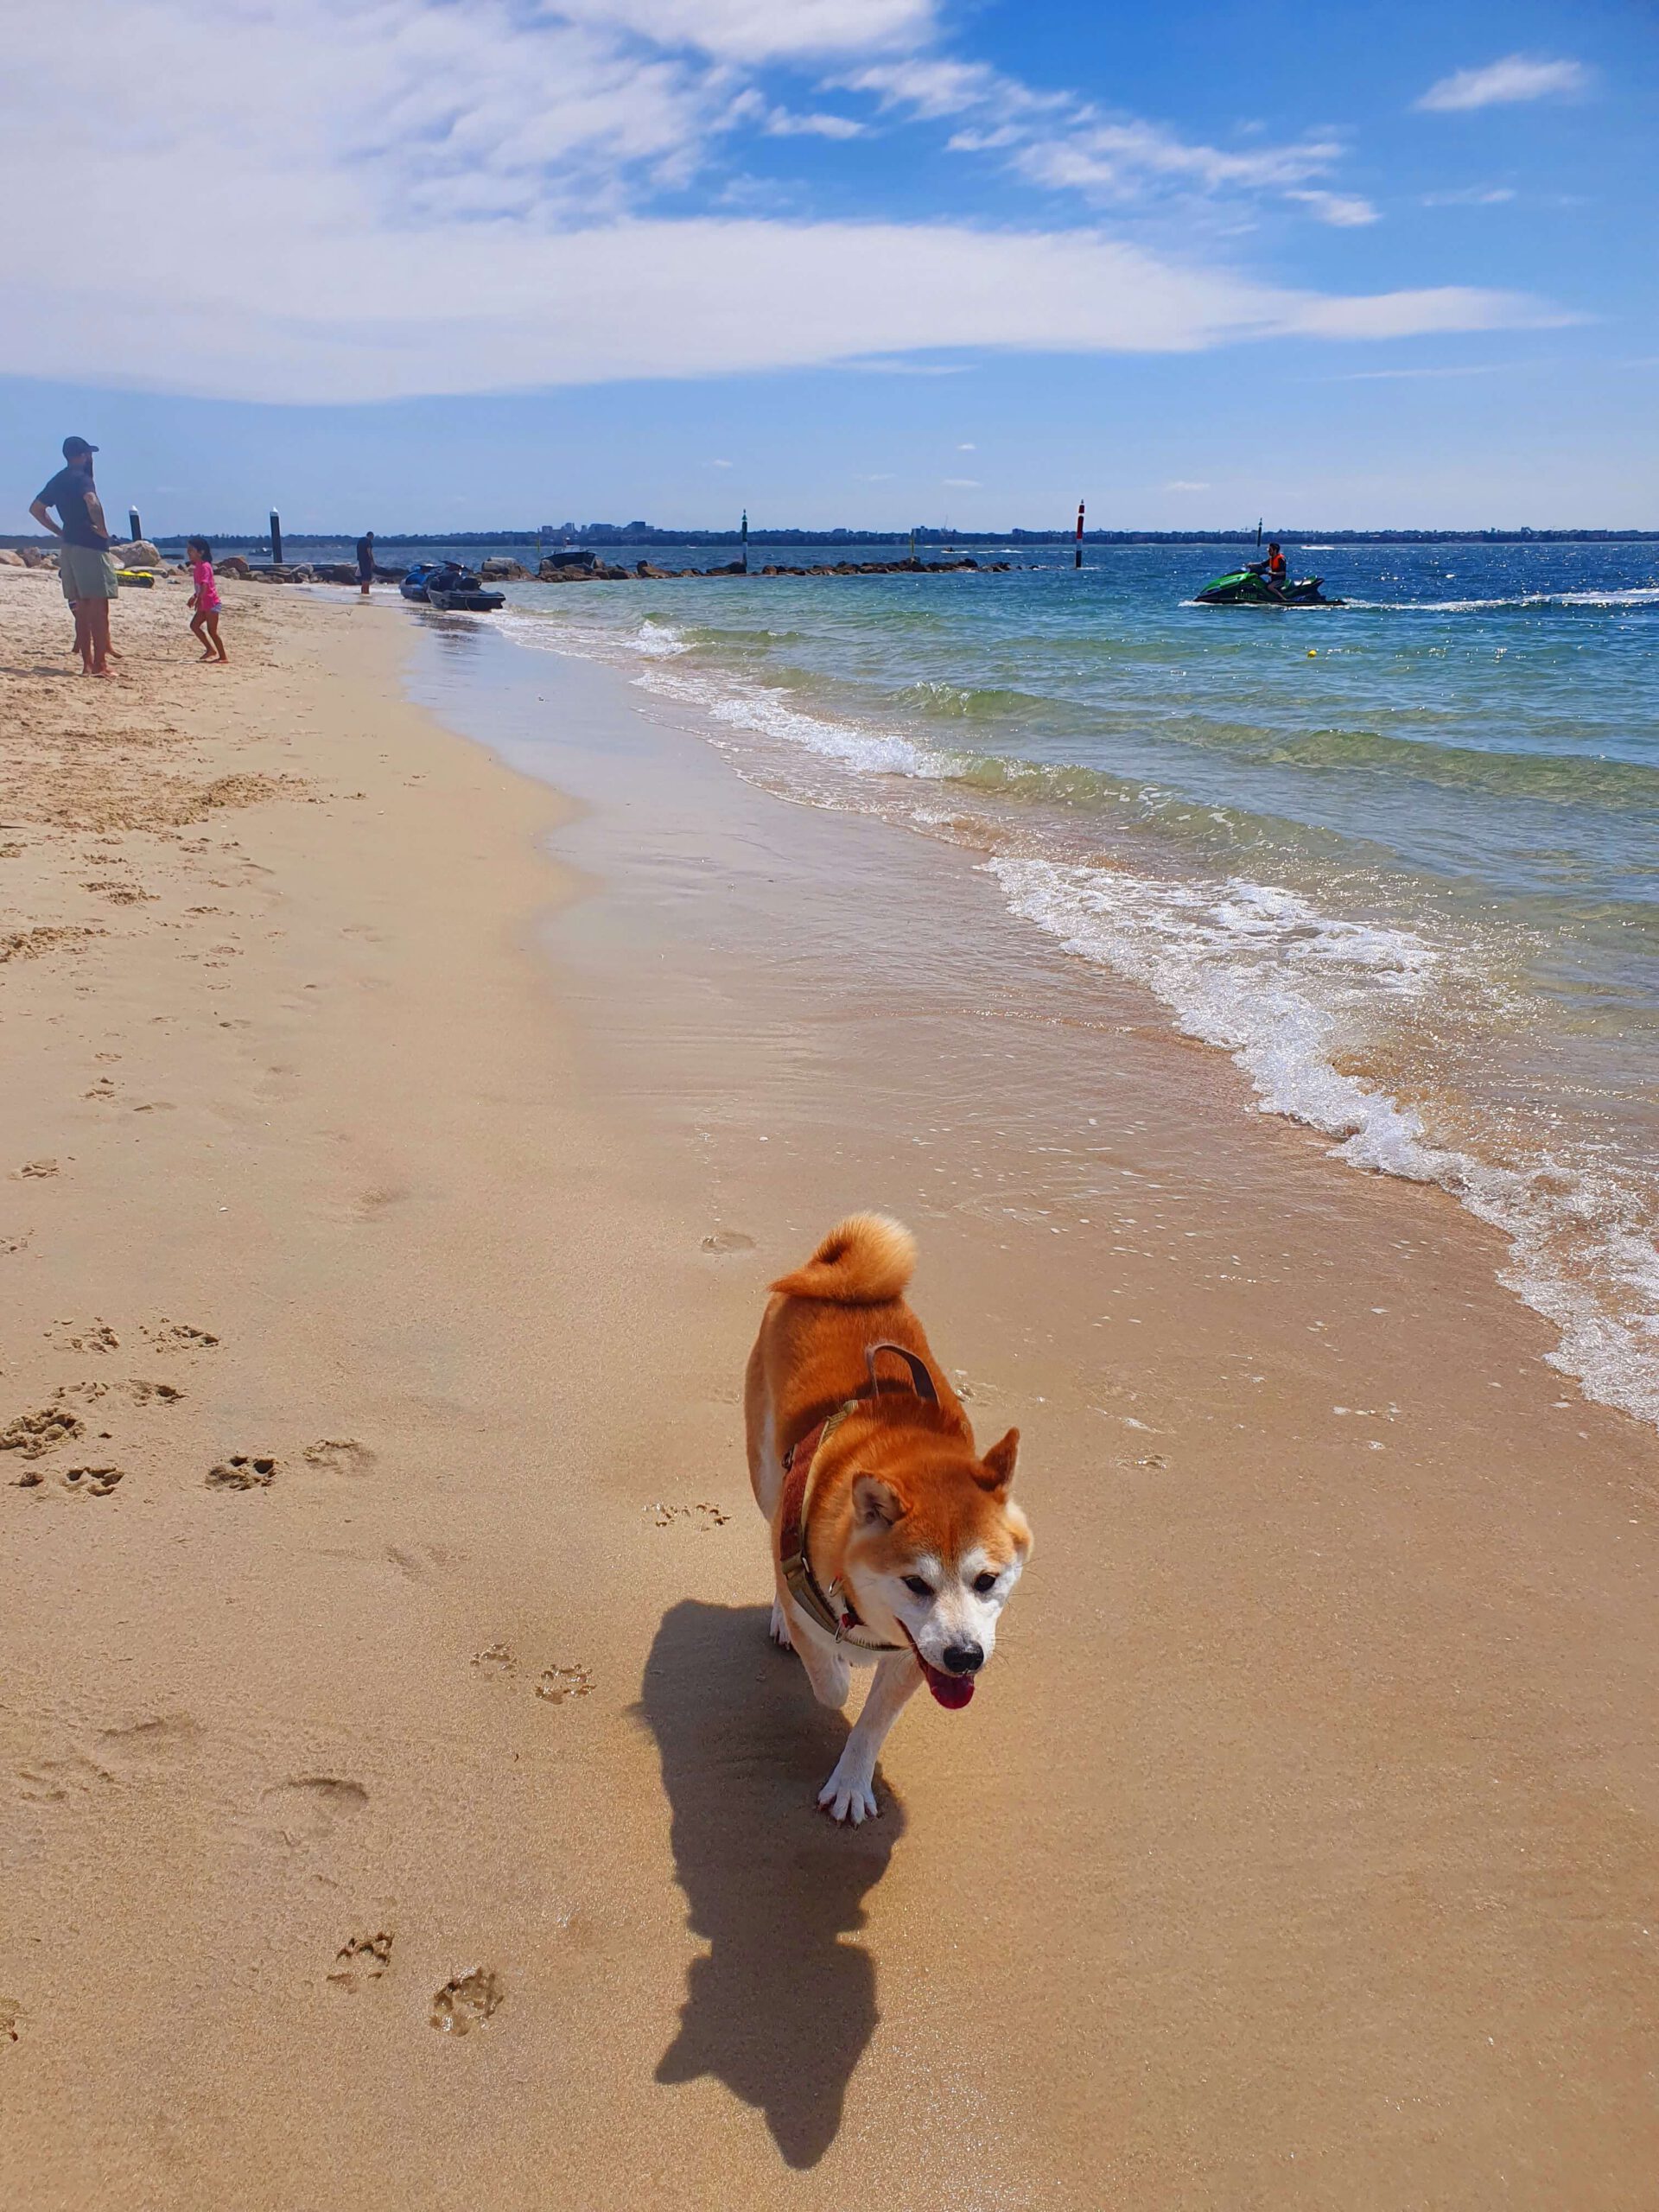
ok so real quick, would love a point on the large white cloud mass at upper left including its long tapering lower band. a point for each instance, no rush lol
(419, 198)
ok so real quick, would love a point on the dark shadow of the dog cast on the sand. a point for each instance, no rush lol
(780, 2010)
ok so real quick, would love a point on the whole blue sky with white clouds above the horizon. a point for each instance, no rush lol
(492, 262)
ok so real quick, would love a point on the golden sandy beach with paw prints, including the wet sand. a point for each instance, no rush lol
(401, 1797)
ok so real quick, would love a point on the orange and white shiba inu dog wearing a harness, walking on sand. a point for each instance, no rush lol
(895, 1543)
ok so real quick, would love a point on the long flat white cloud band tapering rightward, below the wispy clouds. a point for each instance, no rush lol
(359, 315)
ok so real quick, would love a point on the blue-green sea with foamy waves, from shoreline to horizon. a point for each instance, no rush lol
(1399, 859)
